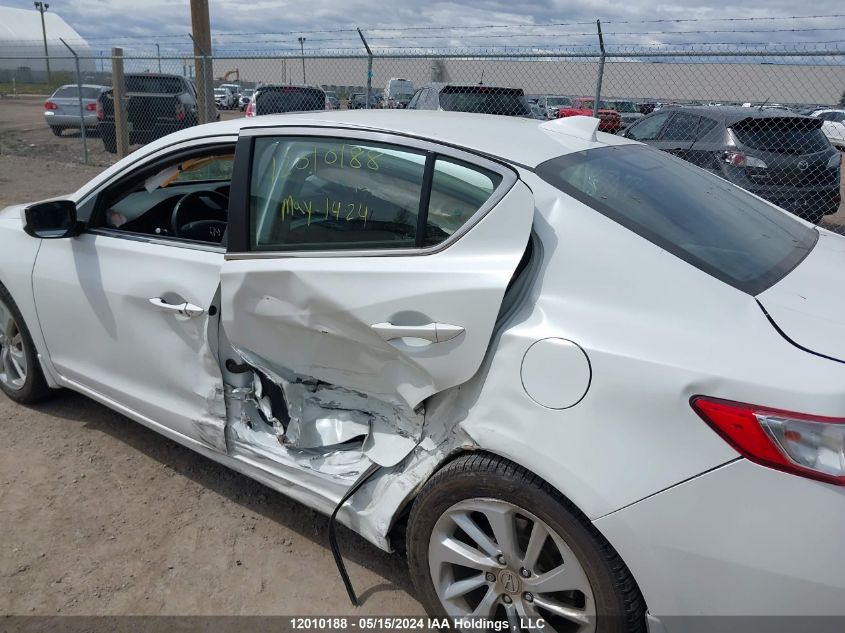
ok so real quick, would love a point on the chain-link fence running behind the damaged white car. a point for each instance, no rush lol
(768, 118)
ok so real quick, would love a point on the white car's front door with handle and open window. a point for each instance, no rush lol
(109, 300)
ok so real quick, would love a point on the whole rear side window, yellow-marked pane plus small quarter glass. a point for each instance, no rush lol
(319, 194)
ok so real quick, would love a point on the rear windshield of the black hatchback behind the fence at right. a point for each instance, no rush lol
(783, 135)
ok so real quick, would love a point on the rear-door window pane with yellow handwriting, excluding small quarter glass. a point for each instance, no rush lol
(330, 194)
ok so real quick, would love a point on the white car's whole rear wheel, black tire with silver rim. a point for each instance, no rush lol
(477, 486)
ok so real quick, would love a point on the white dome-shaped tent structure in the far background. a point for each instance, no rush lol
(22, 43)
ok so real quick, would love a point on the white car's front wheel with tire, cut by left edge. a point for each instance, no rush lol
(21, 376)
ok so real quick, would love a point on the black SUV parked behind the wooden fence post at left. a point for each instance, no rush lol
(156, 105)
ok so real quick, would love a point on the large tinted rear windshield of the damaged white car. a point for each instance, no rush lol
(698, 217)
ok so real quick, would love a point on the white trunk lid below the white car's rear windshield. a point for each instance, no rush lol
(807, 306)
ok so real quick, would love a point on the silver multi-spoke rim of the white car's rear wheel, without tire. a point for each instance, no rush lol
(494, 560)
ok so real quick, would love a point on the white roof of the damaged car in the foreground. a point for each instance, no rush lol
(513, 139)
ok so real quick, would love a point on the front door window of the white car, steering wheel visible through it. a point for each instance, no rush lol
(148, 206)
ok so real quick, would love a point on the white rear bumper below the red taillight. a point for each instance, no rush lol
(735, 548)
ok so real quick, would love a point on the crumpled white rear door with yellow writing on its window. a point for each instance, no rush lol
(371, 263)
